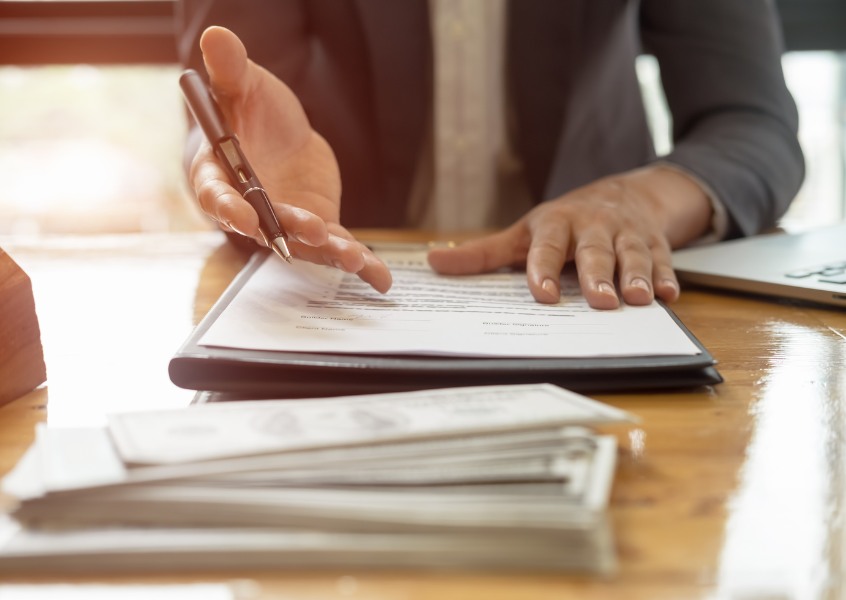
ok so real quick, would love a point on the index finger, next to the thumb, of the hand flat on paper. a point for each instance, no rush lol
(546, 257)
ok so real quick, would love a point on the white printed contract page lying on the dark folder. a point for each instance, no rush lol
(309, 308)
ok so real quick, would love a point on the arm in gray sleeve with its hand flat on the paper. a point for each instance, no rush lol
(735, 132)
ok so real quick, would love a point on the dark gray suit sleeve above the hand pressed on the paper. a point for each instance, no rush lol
(734, 121)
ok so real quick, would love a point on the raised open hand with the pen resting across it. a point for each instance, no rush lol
(294, 163)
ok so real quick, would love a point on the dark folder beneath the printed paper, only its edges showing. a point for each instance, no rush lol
(235, 372)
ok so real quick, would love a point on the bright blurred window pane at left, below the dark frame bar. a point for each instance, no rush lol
(93, 150)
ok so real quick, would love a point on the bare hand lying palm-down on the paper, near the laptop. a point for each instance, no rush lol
(619, 228)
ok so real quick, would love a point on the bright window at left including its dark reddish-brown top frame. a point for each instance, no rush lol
(97, 118)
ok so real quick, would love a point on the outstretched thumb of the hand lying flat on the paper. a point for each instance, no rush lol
(502, 249)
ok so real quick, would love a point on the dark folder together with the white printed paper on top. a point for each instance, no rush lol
(306, 330)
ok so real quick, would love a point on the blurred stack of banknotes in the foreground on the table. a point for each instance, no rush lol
(478, 477)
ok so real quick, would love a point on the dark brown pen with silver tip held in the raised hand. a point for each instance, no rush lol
(228, 151)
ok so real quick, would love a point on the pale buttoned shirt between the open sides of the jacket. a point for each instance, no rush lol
(468, 176)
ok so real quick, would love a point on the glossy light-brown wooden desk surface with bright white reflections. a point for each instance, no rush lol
(735, 490)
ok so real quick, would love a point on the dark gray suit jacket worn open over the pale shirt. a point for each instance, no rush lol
(363, 70)
